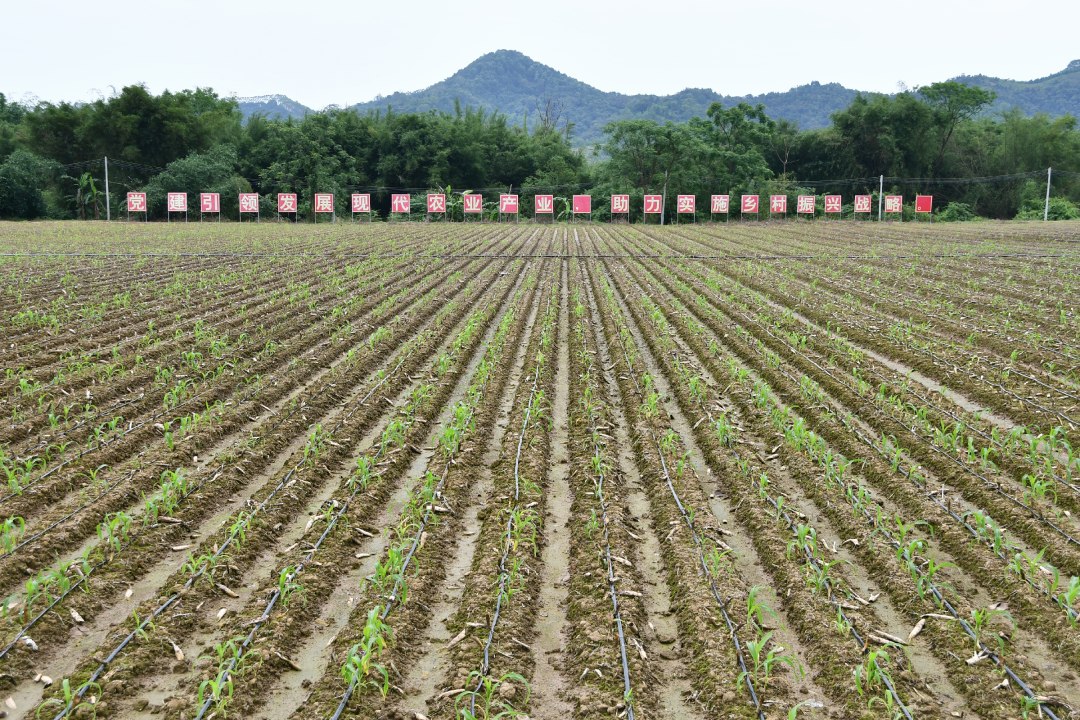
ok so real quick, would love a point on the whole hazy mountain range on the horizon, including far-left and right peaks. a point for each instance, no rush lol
(515, 85)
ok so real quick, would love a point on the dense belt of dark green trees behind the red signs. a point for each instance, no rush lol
(934, 140)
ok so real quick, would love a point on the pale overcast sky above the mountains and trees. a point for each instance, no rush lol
(323, 52)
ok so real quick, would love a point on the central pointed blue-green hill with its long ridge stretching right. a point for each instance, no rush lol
(514, 84)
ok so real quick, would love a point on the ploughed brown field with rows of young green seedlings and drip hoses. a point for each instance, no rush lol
(579, 471)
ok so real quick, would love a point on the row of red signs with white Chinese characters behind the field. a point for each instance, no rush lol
(211, 202)
